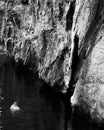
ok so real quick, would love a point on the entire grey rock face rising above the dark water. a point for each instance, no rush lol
(62, 40)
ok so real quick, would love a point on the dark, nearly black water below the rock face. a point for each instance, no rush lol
(41, 107)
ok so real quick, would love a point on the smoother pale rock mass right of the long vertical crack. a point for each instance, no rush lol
(89, 90)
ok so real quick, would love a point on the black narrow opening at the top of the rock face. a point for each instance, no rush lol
(69, 16)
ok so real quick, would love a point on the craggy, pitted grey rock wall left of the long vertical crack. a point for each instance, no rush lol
(41, 37)
